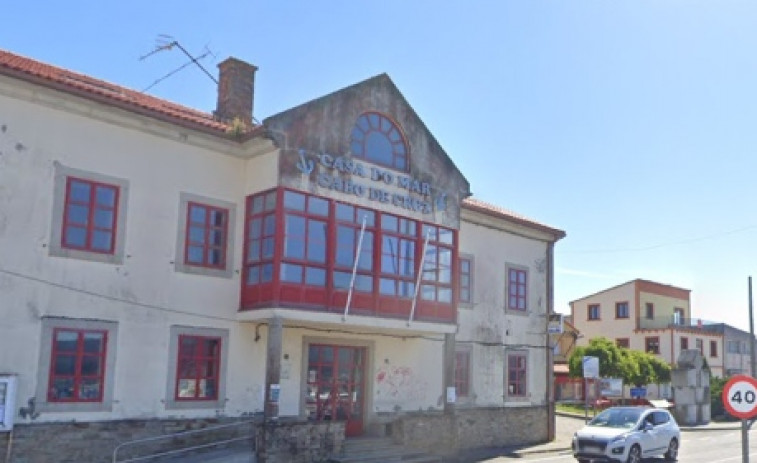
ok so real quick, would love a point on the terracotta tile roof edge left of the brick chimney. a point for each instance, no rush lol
(62, 79)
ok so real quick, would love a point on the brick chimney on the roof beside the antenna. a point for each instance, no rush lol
(236, 90)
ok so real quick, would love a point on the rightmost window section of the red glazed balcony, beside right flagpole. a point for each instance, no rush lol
(436, 279)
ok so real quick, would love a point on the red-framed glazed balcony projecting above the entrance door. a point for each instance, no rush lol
(399, 273)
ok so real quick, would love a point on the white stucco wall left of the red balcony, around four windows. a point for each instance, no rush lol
(144, 295)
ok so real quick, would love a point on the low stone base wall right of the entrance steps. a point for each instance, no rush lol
(471, 428)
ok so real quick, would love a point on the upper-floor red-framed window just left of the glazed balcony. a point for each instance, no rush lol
(207, 236)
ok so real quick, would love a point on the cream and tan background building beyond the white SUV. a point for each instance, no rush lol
(648, 316)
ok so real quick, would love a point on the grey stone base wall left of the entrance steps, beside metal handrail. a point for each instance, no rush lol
(95, 442)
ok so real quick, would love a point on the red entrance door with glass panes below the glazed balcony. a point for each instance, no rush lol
(335, 385)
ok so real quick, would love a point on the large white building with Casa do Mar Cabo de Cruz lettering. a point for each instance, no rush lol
(324, 274)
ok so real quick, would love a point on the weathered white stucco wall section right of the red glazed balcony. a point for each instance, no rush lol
(491, 331)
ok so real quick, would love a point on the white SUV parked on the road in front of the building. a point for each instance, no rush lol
(626, 435)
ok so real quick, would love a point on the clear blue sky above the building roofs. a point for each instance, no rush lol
(630, 124)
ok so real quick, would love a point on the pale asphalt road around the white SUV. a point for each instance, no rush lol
(709, 446)
